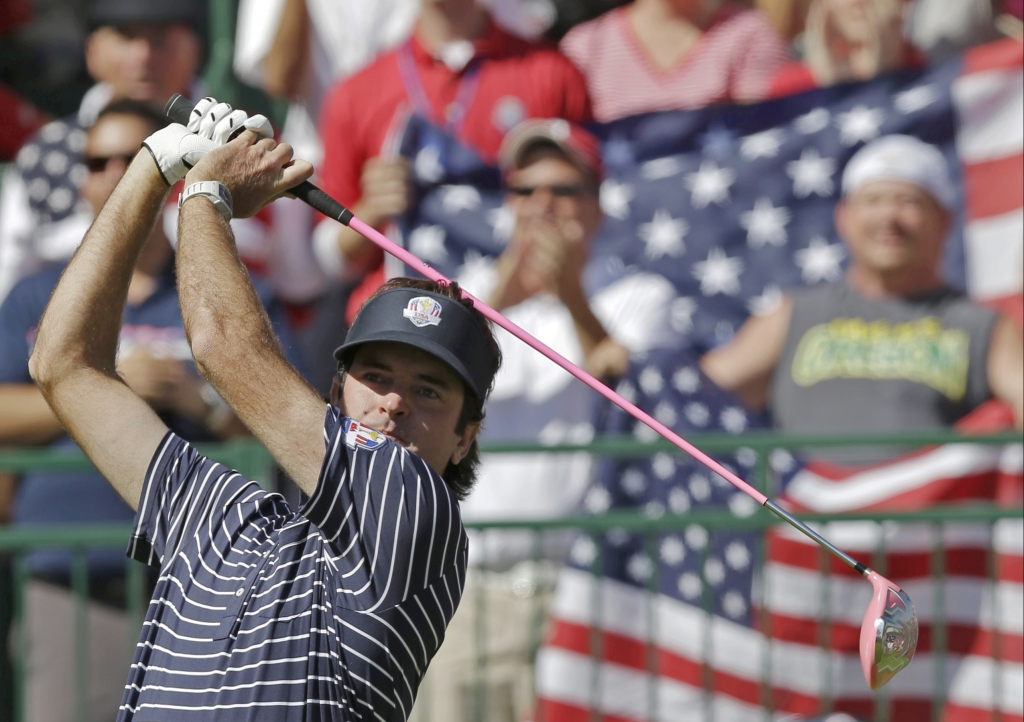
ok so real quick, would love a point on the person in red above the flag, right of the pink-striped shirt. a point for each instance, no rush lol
(847, 40)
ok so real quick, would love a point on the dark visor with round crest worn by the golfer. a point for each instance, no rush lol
(431, 322)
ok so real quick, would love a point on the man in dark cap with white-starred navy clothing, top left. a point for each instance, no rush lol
(141, 50)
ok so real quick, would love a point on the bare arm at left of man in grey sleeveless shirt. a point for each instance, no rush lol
(745, 365)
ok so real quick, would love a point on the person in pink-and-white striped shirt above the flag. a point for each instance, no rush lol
(669, 55)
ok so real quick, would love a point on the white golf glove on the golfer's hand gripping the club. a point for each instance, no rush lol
(177, 149)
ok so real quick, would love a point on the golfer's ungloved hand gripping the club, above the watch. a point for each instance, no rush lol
(255, 169)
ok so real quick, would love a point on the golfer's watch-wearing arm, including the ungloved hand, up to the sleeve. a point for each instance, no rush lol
(230, 333)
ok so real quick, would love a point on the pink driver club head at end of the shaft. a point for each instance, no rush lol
(889, 632)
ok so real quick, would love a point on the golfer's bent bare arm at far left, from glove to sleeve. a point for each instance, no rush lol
(74, 359)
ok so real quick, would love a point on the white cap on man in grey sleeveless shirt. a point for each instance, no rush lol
(902, 158)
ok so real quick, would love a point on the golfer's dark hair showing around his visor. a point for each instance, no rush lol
(460, 478)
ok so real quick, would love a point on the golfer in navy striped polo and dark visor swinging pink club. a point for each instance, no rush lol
(264, 613)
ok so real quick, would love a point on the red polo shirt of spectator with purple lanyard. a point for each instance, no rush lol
(518, 80)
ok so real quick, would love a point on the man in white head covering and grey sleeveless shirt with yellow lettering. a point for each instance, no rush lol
(891, 347)
